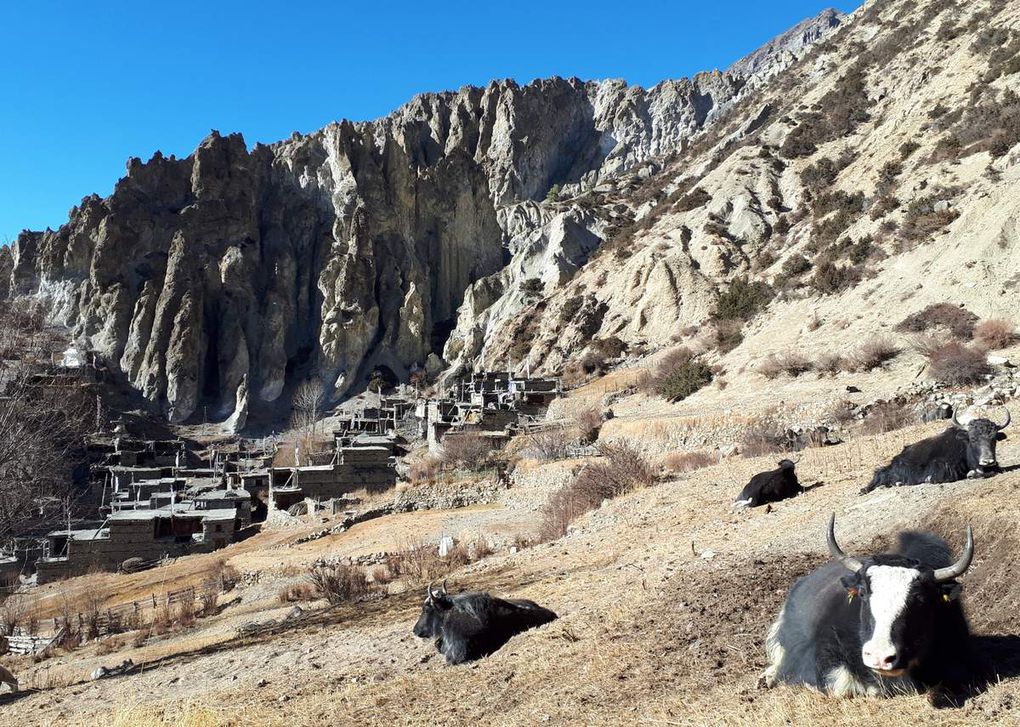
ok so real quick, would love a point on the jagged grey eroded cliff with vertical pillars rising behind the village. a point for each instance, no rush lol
(218, 282)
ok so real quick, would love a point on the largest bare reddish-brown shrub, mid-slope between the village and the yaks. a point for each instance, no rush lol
(622, 470)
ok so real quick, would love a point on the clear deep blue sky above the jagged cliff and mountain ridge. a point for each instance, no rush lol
(84, 86)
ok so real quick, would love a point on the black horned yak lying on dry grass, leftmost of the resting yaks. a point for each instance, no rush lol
(473, 626)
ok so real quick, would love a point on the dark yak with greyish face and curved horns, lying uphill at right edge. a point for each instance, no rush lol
(958, 453)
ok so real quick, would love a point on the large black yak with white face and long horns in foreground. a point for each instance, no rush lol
(889, 624)
